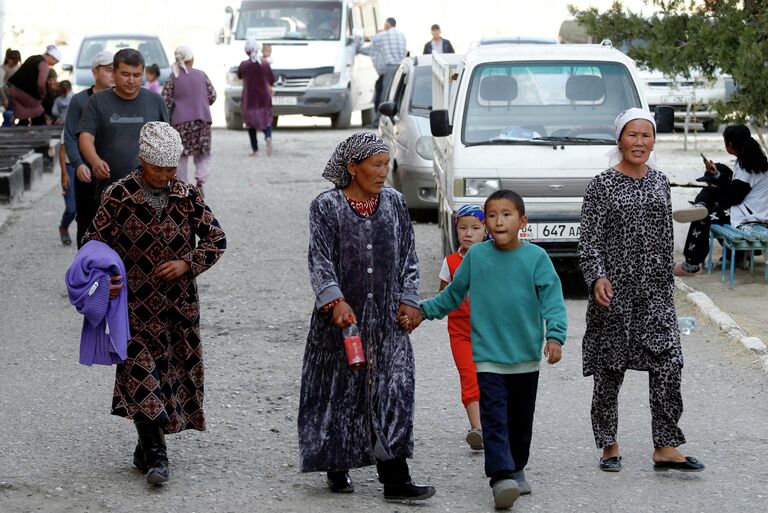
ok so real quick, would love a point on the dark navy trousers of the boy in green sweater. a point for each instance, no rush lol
(507, 405)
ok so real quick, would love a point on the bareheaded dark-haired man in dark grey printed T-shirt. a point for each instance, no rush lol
(109, 127)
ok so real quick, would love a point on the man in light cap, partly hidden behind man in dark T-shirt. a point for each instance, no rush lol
(85, 202)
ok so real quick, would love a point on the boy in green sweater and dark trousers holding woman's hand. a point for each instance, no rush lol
(515, 292)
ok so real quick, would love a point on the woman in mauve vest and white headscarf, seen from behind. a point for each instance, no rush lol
(188, 95)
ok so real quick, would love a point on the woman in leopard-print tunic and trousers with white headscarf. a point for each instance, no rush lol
(626, 256)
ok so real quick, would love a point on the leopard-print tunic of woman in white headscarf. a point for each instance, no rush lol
(627, 236)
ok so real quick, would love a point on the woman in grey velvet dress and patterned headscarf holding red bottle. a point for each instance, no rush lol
(363, 268)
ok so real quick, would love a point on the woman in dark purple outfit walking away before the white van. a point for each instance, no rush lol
(256, 103)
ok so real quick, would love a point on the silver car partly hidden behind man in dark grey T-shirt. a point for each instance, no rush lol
(149, 46)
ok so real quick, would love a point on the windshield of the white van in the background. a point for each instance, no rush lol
(290, 20)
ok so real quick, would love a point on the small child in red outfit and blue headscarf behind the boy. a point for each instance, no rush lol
(470, 229)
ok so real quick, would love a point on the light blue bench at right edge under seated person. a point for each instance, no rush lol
(750, 238)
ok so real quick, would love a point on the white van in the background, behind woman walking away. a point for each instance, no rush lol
(316, 69)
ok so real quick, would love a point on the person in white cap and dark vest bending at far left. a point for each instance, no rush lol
(28, 86)
